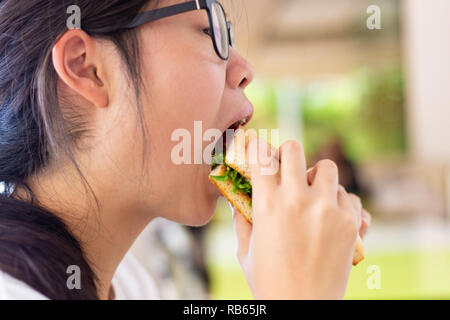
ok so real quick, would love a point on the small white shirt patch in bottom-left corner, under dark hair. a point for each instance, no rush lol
(14, 289)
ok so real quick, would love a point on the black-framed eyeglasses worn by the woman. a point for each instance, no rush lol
(222, 32)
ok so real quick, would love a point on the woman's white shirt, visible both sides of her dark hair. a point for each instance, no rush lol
(130, 282)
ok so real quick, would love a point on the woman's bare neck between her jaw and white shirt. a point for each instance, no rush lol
(106, 233)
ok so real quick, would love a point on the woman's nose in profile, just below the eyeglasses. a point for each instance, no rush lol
(239, 72)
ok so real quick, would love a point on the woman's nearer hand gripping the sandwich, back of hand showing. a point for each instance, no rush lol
(304, 230)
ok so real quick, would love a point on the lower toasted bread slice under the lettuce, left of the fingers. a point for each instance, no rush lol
(239, 200)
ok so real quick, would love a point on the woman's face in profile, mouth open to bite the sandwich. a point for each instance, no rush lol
(185, 81)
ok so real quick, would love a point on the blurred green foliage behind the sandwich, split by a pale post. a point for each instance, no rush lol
(364, 109)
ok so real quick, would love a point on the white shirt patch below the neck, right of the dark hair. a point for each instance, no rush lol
(133, 282)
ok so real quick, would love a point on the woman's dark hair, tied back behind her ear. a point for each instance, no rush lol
(35, 245)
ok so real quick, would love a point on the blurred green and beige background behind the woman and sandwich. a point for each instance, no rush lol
(375, 98)
